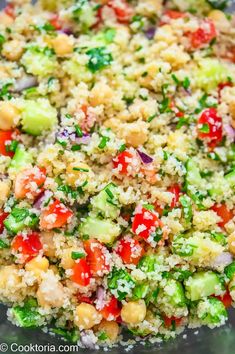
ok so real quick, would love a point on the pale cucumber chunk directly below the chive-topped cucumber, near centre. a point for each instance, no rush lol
(104, 230)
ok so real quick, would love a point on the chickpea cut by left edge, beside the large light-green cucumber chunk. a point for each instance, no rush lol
(9, 115)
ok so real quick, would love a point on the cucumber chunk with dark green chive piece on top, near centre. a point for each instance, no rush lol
(106, 202)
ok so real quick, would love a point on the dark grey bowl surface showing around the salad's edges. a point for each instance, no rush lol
(198, 341)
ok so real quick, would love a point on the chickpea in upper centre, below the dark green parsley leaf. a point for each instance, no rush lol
(101, 94)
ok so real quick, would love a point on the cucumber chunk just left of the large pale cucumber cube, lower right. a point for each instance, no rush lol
(173, 293)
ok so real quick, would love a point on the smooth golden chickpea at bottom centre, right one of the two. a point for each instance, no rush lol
(133, 312)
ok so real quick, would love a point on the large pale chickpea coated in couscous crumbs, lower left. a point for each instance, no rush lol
(50, 292)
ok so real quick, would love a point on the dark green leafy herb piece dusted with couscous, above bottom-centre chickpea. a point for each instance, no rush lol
(120, 283)
